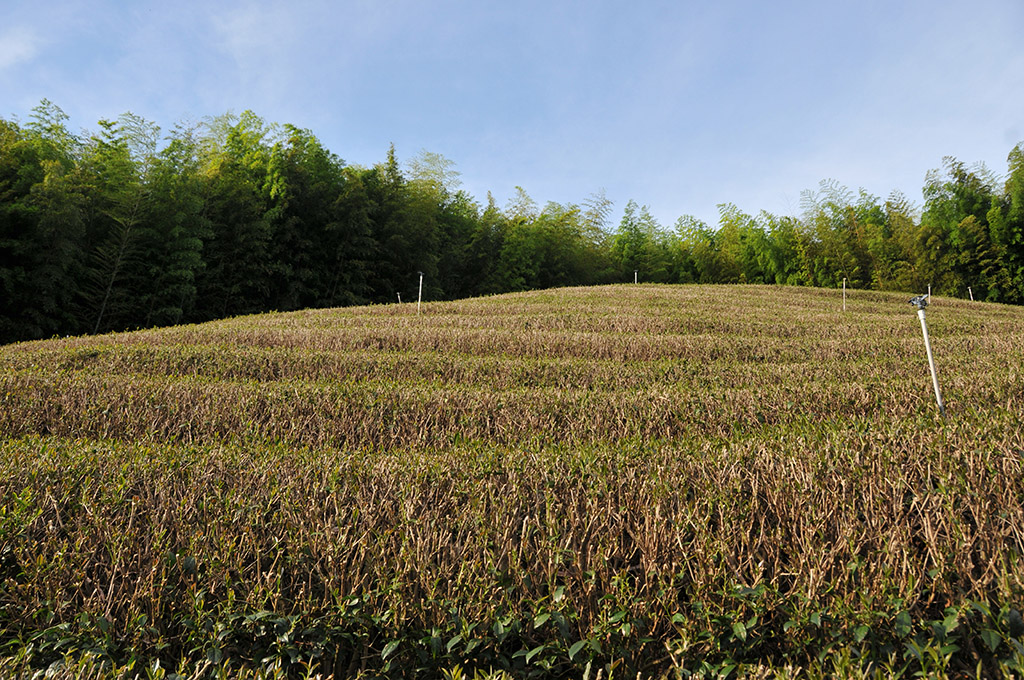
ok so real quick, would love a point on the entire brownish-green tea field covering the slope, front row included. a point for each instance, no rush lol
(649, 477)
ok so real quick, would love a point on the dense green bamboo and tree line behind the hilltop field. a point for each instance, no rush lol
(130, 227)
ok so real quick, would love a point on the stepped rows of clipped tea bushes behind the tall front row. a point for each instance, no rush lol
(583, 365)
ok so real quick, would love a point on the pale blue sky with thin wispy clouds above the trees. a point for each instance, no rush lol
(680, 106)
